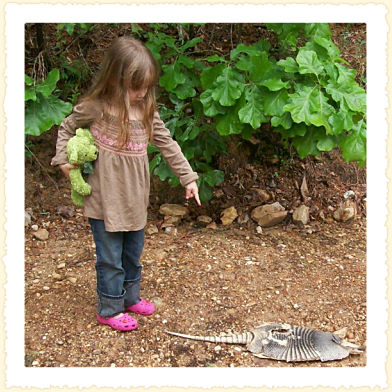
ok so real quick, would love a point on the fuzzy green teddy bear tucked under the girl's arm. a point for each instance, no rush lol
(80, 149)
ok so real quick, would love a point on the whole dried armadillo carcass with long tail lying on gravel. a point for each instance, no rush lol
(287, 343)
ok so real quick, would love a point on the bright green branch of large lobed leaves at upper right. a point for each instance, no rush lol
(310, 98)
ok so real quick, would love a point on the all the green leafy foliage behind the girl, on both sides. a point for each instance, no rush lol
(301, 88)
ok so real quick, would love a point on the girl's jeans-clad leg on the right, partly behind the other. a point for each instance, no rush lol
(132, 250)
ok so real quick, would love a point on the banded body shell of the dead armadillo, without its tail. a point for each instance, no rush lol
(303, 344)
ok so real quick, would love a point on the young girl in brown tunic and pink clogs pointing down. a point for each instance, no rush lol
(120, 111)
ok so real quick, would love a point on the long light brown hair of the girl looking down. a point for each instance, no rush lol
(128, 64)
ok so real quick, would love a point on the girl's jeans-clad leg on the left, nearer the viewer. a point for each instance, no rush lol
(110, 272)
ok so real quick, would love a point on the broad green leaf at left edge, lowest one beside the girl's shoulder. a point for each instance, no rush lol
(42, 114)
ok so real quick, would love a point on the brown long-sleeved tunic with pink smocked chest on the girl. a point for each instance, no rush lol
(121, 181)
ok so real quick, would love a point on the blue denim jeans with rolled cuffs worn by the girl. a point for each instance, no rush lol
(118, 268)
